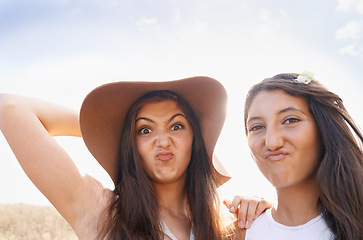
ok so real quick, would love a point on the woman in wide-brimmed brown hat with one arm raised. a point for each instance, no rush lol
(155, 140)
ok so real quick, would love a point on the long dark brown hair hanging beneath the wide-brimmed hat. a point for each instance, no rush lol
(134, 212)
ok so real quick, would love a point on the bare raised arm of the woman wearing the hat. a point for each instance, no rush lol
(28, 125)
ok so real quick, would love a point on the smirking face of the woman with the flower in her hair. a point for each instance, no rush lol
(283, 138)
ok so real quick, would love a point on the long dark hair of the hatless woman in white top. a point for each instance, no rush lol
(340, 171)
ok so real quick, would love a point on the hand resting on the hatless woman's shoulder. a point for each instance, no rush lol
(247, 209)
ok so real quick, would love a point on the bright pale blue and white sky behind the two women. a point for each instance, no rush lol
(59, 50)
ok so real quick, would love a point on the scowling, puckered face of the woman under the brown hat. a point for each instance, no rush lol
(164, 141)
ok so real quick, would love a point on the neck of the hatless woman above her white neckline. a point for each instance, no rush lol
(296, 205)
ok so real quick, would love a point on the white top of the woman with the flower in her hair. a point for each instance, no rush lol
(265, 227)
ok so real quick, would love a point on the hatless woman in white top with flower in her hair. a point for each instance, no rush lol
(307, 145)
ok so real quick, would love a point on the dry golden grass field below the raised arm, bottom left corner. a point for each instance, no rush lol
(25, 222)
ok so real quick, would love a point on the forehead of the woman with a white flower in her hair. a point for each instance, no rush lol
(274, 101)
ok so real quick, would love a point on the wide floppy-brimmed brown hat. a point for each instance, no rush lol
(104, 109)
